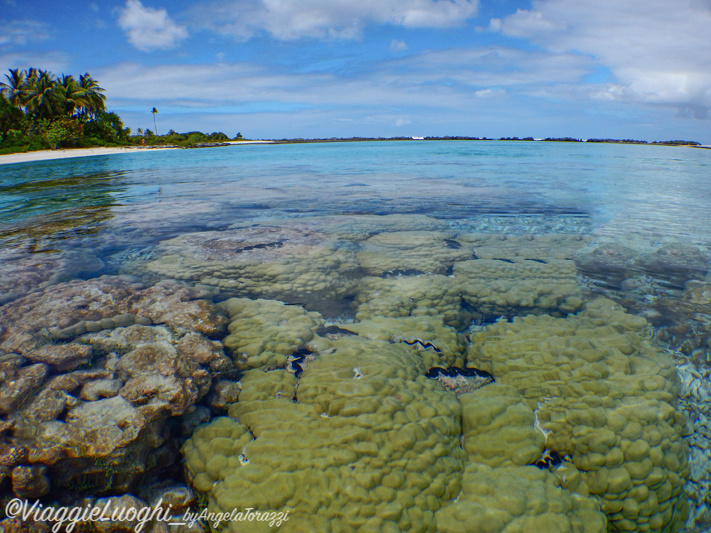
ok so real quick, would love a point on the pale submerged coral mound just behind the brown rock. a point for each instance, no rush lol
(283, 263)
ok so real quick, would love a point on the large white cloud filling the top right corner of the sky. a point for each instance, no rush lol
(659, 52)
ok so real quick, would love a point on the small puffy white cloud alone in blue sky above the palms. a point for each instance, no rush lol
(150, 29)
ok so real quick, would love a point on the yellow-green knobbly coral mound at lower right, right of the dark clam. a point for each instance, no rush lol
(605, 395)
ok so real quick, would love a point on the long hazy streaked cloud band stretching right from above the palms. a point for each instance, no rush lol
(452, 79)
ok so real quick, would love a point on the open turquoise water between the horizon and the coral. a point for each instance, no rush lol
(622, 189)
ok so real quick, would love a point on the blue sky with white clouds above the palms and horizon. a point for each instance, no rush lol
(321, 68)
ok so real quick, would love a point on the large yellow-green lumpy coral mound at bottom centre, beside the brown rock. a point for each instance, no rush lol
(370, 443)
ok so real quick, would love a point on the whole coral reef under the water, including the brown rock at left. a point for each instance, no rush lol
(382, 421)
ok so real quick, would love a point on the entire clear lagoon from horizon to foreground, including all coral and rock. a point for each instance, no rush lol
(427, 336)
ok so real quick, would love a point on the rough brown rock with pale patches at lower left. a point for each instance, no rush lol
(97, 411)
